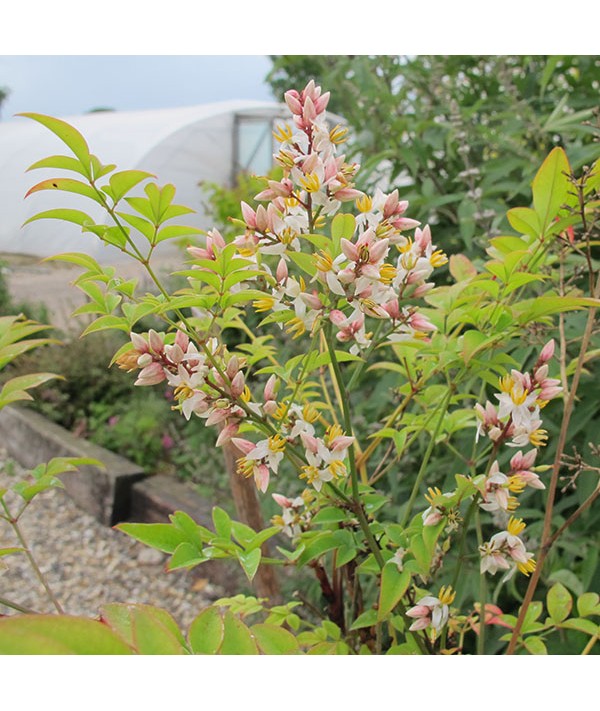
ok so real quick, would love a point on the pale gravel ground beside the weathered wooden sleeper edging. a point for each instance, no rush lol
(87, 564)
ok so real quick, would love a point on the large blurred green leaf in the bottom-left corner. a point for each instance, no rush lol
(54, 634)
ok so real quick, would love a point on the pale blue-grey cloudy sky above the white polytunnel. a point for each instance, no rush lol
(67, 85)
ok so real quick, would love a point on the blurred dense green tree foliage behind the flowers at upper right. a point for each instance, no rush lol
(460, 132)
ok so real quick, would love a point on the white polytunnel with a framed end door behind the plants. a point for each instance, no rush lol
(182, 146)
